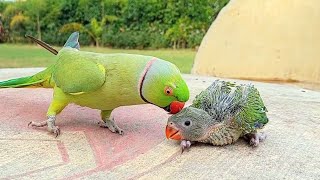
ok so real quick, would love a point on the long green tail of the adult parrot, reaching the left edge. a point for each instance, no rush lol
(41, 79)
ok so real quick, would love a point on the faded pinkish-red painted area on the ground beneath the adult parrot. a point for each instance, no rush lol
(143, 125)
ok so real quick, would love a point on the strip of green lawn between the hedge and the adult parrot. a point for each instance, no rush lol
(14, 55)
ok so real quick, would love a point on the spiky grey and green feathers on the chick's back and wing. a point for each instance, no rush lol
(223, 100)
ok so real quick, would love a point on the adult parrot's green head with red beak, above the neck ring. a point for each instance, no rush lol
(164, 86)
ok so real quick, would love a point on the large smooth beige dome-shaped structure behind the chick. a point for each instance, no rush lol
(263, 40)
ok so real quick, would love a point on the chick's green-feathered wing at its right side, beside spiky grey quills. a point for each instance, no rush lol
(251, 113)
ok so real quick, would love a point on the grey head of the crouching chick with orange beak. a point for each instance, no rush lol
(189, 124)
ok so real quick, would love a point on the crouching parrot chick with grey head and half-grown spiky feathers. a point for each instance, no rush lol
(220, 115)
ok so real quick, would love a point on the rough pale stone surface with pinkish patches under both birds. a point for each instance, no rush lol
(86, 151)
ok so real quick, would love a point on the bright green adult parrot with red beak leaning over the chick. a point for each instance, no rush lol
(104, 82)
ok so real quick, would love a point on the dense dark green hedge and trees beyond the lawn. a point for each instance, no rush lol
(113, 23)
